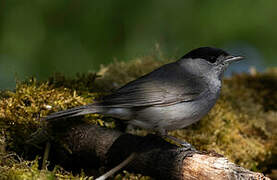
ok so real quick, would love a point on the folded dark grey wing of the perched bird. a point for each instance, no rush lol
(167, 85)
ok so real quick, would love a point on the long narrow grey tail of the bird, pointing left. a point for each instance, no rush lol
(77, 111)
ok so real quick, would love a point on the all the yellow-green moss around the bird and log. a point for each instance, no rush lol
(241, 126)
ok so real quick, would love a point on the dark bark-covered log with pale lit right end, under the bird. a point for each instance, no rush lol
(91, 146)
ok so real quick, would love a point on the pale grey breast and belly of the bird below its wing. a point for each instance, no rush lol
(178, 115)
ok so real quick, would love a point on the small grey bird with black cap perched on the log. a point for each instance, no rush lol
(171, 97)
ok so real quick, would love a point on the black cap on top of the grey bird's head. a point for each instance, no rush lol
(208, 53)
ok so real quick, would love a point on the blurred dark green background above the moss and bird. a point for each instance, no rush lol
(38, 38)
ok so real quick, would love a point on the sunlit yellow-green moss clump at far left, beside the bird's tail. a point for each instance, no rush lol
(22, 109)
